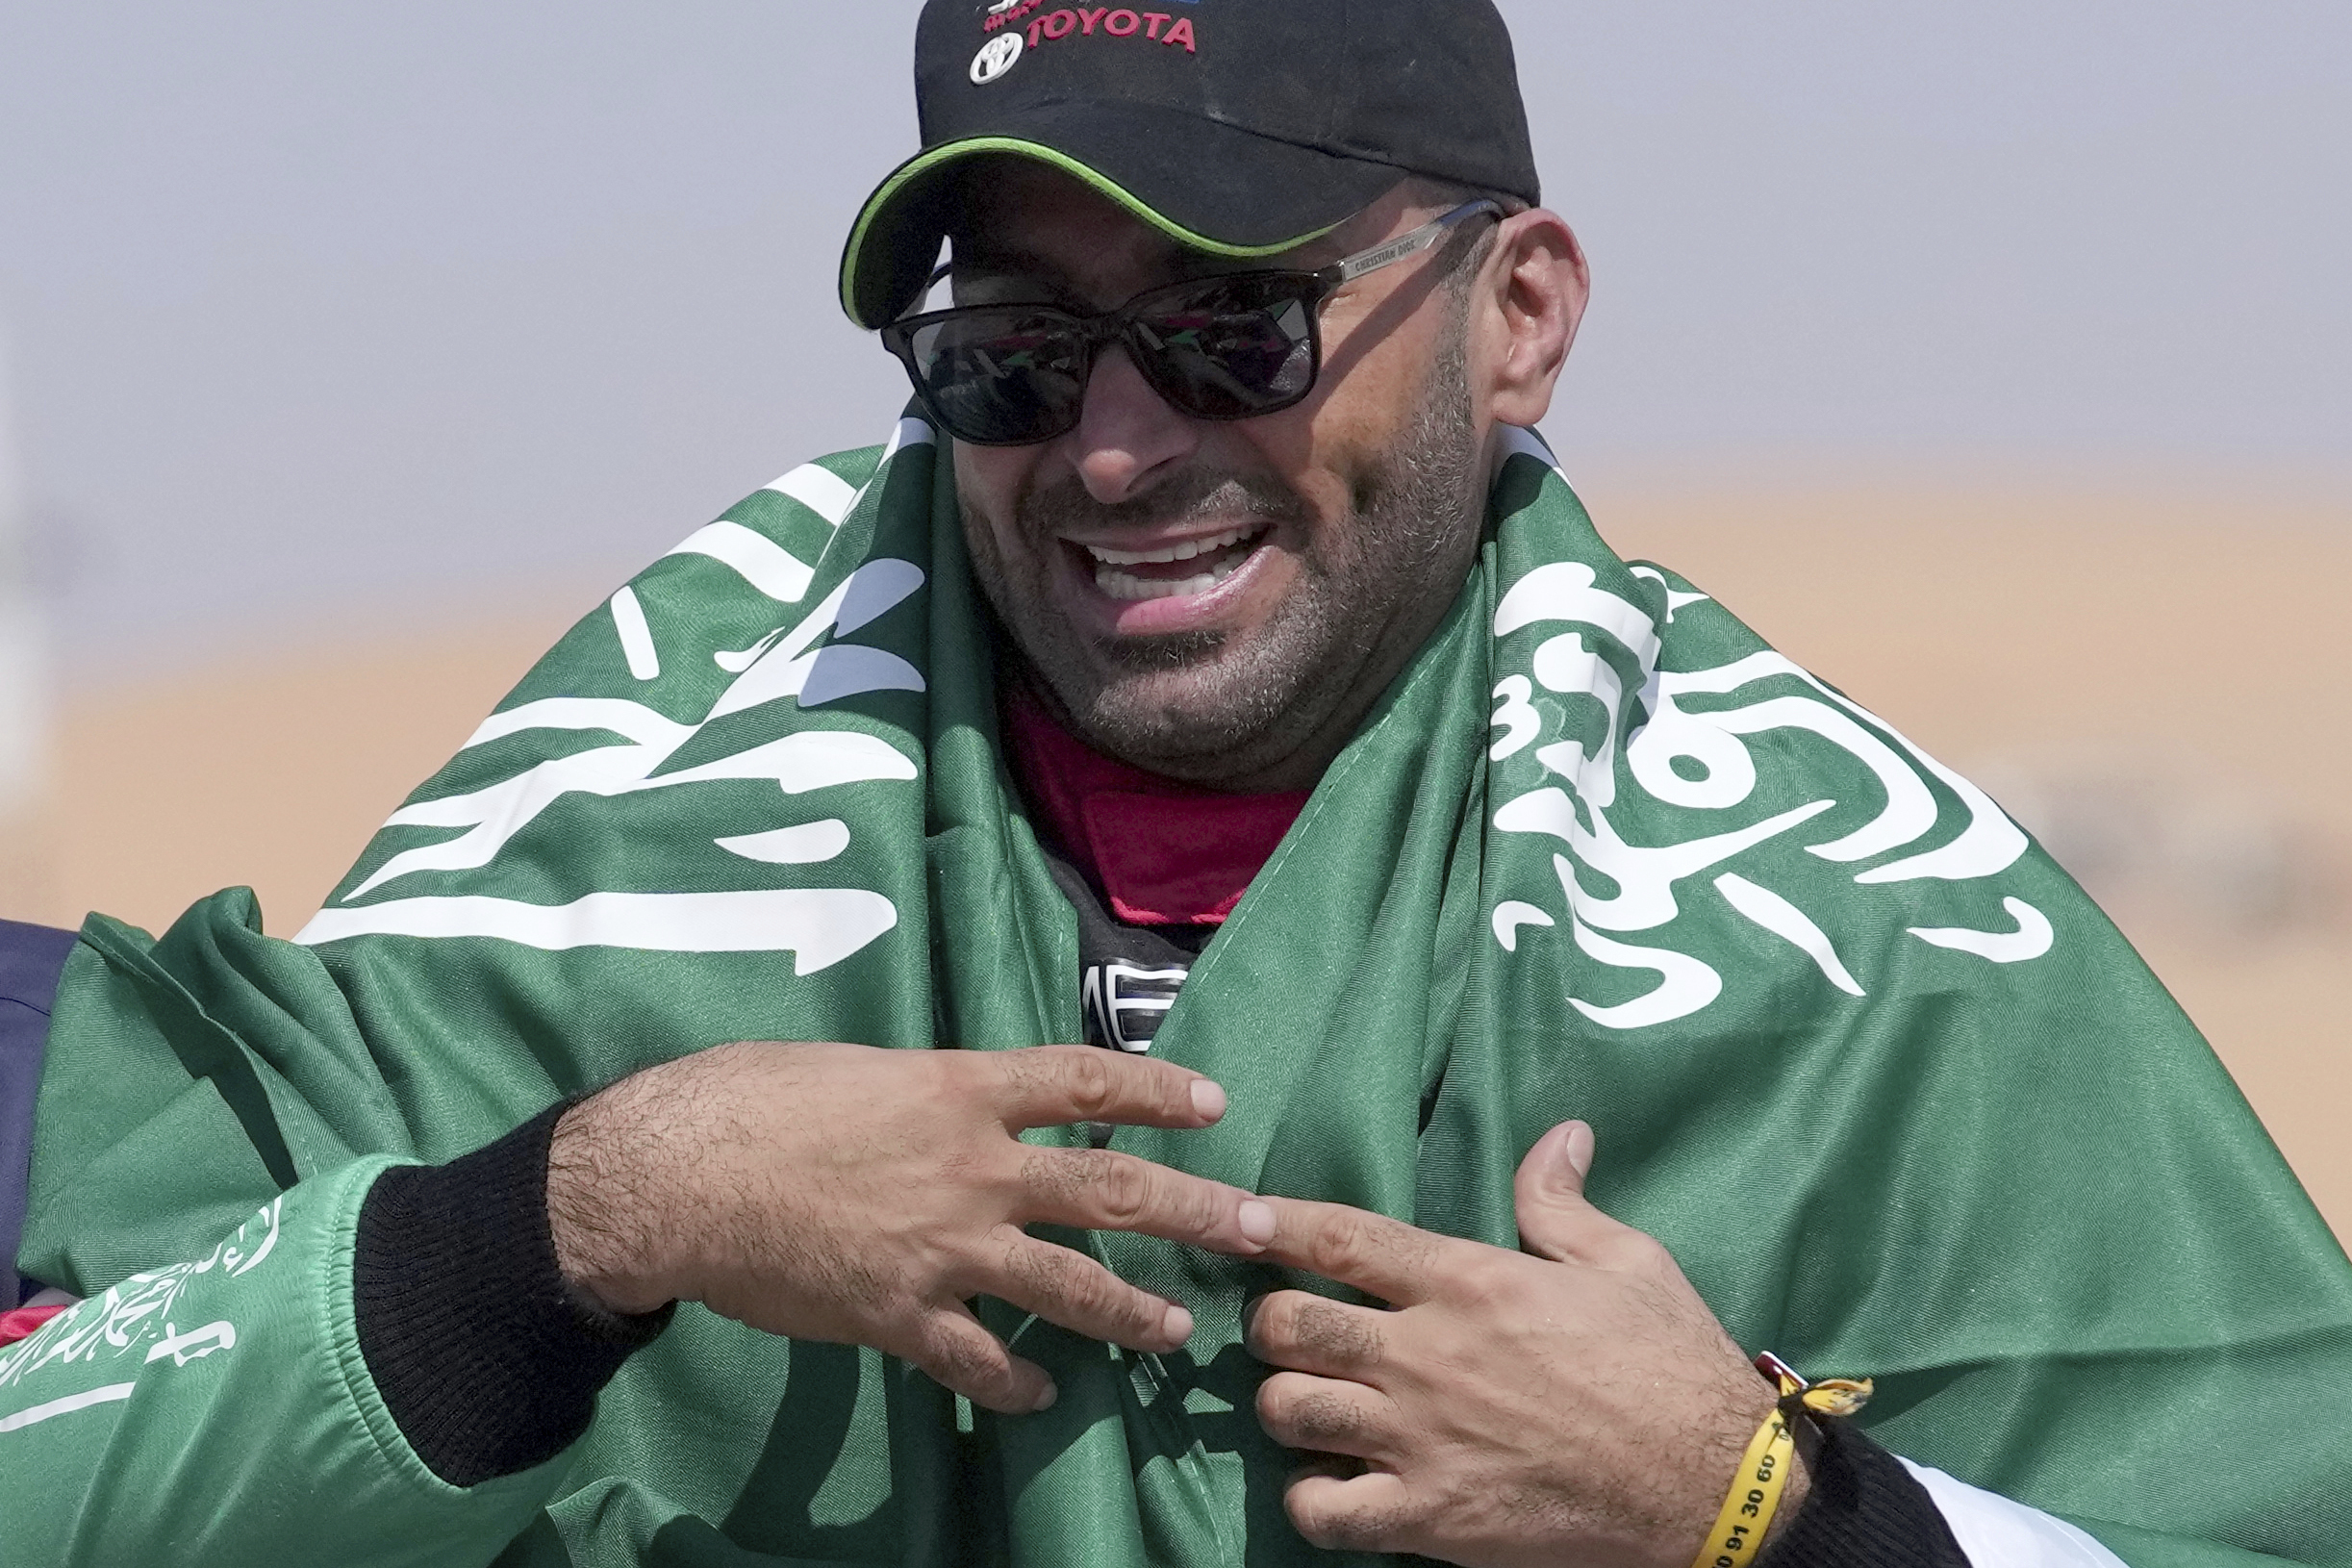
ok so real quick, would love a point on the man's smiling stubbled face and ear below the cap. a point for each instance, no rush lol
(1215, 598)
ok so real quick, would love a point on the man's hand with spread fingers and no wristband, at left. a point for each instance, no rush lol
(857, 1195)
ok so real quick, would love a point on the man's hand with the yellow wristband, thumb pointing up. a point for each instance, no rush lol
(1570, 1407)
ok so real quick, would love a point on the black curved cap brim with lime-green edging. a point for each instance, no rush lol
(1210, 187)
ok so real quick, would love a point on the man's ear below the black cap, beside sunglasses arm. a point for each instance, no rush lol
(1530, 300)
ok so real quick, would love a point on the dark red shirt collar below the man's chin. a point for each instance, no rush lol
(1163, 852)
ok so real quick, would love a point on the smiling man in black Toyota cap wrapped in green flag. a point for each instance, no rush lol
(1217, 666)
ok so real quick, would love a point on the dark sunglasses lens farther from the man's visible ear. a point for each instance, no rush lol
(1001, 377)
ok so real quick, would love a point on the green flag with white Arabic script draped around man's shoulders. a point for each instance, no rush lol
(1887, 1085)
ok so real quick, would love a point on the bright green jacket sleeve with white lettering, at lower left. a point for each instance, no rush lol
(227, 1416)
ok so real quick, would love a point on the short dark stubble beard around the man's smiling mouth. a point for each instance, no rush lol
(1217, 706)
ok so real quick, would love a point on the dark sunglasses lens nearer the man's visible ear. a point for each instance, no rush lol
(1231, 347)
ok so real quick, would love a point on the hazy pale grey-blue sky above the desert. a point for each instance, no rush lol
(370, 311)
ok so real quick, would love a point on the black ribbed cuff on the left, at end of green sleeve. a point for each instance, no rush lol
(481, 1351)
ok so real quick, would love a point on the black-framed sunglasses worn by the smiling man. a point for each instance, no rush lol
(1222, 347)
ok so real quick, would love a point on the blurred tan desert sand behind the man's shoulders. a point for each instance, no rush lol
(2153, 683)
